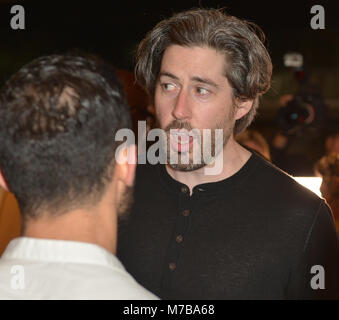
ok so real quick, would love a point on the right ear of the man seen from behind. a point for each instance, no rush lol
(126, 160)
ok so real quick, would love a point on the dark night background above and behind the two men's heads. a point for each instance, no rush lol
(112, 29)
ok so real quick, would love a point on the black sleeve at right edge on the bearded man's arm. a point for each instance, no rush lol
(321, 250)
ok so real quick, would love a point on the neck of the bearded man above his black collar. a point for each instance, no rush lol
(234, 156)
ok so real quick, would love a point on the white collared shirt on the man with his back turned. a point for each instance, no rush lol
(33, 268)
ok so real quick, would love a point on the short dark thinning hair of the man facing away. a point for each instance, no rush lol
(59, 115)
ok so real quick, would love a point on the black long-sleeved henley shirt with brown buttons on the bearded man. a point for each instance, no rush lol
(254, 235)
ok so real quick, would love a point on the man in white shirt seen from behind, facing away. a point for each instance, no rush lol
(59, 115)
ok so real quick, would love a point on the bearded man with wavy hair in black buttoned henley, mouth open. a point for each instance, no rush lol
(248, 231)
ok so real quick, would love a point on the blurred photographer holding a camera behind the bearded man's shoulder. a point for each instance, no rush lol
(298, 142)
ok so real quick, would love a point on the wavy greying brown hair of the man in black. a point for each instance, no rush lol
(248, 64)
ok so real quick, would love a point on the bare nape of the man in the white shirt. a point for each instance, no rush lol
(78, 225)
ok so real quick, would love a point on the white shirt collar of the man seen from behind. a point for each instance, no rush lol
(50, 250)
